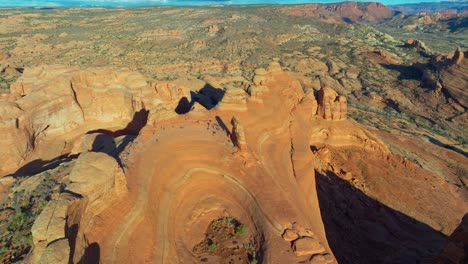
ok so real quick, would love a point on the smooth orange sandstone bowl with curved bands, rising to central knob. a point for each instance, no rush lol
(206, 172)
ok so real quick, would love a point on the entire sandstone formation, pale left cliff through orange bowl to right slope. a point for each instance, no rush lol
(185, 170)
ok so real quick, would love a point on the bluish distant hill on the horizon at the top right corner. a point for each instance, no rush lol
(458, 6)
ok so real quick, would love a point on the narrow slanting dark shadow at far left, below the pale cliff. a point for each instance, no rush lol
(39, 165)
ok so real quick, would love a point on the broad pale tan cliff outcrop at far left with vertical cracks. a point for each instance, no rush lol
(61, 103)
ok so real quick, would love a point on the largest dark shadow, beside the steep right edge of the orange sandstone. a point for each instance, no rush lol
(360, 229)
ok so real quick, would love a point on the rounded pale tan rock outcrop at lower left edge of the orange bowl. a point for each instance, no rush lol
(96, 180)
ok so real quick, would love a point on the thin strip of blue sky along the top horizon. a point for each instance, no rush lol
(51, 3)
